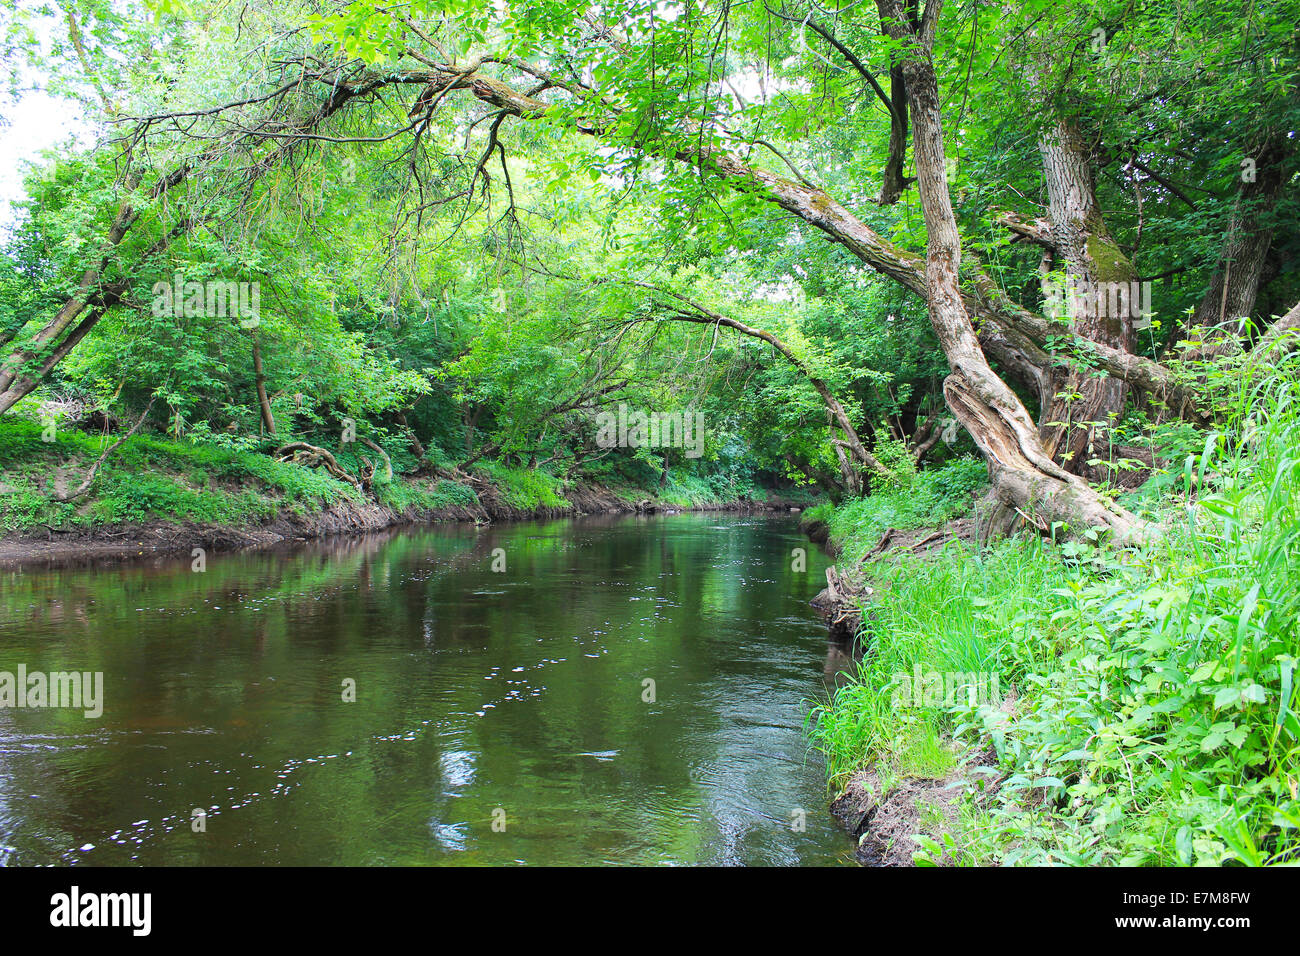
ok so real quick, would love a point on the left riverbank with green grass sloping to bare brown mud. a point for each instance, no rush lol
(157, 496)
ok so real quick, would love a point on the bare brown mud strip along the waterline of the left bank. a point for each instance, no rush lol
(337, 518)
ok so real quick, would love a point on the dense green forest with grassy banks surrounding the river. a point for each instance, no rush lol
(1016, 284)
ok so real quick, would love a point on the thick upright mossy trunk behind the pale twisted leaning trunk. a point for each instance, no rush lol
(1082, 406)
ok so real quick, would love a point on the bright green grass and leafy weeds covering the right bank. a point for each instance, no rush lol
(1154, 715)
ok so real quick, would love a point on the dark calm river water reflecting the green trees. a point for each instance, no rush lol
(483, 698)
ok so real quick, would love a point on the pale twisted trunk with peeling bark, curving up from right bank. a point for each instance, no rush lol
(1025, 478)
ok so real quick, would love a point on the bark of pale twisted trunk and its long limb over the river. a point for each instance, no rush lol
(1024, 475)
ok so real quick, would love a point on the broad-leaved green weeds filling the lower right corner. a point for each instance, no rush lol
(1167, 732)
